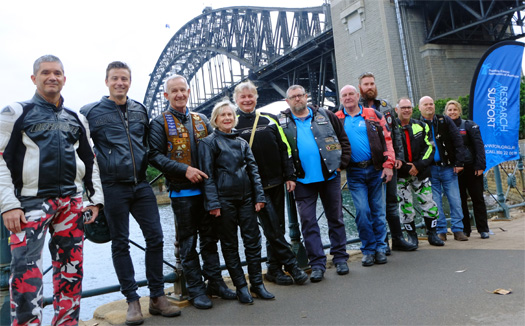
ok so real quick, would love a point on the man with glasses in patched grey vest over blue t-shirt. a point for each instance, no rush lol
(320, 150)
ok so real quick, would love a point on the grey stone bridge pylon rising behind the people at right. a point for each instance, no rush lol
(367, 38)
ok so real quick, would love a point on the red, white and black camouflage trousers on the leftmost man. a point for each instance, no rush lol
(63, 218)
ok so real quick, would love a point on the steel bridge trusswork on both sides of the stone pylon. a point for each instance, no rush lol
(278, 47)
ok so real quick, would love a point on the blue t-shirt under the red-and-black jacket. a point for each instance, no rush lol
(355, 128)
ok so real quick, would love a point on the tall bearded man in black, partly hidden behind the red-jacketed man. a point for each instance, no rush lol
(368, 90)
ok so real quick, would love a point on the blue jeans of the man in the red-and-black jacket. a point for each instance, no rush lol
(366, 188)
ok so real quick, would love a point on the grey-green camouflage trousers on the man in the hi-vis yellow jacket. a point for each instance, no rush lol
(423, 194)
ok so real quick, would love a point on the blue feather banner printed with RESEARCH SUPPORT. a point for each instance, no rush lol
(495, 101)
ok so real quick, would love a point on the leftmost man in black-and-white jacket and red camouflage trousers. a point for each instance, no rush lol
(45, 162)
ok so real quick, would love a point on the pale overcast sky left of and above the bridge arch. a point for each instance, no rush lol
(87, 35)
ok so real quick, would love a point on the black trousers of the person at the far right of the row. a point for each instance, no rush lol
(468, 181)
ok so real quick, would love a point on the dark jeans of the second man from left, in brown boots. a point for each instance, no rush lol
(139, 200)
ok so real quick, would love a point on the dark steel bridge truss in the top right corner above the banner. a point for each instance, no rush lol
(477, 22)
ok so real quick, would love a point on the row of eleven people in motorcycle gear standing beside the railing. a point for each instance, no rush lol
(223, 174)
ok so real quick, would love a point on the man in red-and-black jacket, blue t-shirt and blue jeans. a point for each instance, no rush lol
(371, 164)
